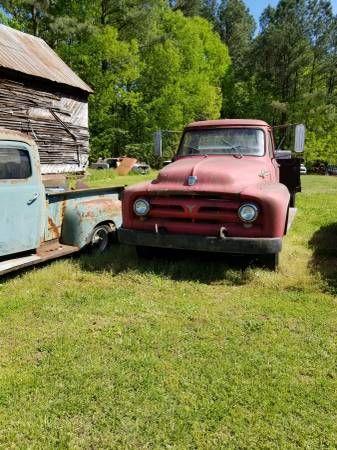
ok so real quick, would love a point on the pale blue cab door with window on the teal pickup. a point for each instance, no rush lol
(20, 198)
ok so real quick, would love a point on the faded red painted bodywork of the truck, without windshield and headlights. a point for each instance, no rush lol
(224, 183)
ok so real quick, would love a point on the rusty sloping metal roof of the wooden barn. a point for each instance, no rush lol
(31, 55)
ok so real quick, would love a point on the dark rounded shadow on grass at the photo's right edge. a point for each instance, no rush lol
(324, 257)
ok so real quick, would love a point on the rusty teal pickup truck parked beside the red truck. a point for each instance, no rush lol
(38, 224)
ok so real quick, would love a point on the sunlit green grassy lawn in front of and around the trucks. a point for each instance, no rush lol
(118, 353)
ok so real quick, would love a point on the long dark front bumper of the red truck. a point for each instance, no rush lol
(251, 246)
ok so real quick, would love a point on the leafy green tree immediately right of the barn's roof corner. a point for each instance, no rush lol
(111, 66)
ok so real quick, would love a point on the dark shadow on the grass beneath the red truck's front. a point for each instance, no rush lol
(187, 266)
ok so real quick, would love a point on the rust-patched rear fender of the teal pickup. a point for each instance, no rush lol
(81, 219)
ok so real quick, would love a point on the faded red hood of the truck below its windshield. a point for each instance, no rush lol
(214, 174)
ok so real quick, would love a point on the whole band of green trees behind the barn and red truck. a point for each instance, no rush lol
(161, 63)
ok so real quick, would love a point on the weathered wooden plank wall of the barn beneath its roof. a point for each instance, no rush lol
(58, 122)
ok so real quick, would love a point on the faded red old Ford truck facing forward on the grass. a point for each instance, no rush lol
(225, 191)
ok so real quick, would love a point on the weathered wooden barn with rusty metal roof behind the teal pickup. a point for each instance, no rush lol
(40, 95)
